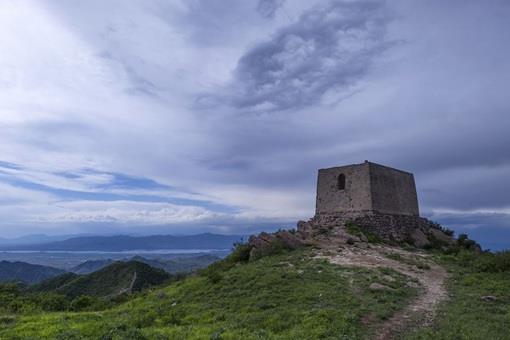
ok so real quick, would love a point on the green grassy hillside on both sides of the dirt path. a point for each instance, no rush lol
(287, 296)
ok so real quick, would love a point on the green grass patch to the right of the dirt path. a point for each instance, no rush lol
(465, 315)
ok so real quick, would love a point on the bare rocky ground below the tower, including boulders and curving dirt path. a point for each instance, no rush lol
(343, 246)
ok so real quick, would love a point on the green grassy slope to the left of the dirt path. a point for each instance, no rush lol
(286, 296)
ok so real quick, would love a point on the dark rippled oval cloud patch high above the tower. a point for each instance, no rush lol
(329, 49)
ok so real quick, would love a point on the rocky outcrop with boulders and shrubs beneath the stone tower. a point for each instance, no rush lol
(353, 228)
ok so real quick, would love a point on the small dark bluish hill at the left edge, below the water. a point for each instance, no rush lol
(26, 273)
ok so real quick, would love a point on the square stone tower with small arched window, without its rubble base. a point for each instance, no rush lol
(366, 188)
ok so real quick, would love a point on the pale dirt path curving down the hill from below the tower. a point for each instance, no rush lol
(422, 308)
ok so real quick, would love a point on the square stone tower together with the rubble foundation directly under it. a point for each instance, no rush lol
(376, 198)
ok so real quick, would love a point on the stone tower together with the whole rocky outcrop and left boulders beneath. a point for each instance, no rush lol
(359, 204)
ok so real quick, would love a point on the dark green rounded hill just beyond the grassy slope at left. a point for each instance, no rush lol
(112, 280)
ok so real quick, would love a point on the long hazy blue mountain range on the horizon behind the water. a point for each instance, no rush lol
(123, 243)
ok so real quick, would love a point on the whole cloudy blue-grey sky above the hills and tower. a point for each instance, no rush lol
(189, 116)
